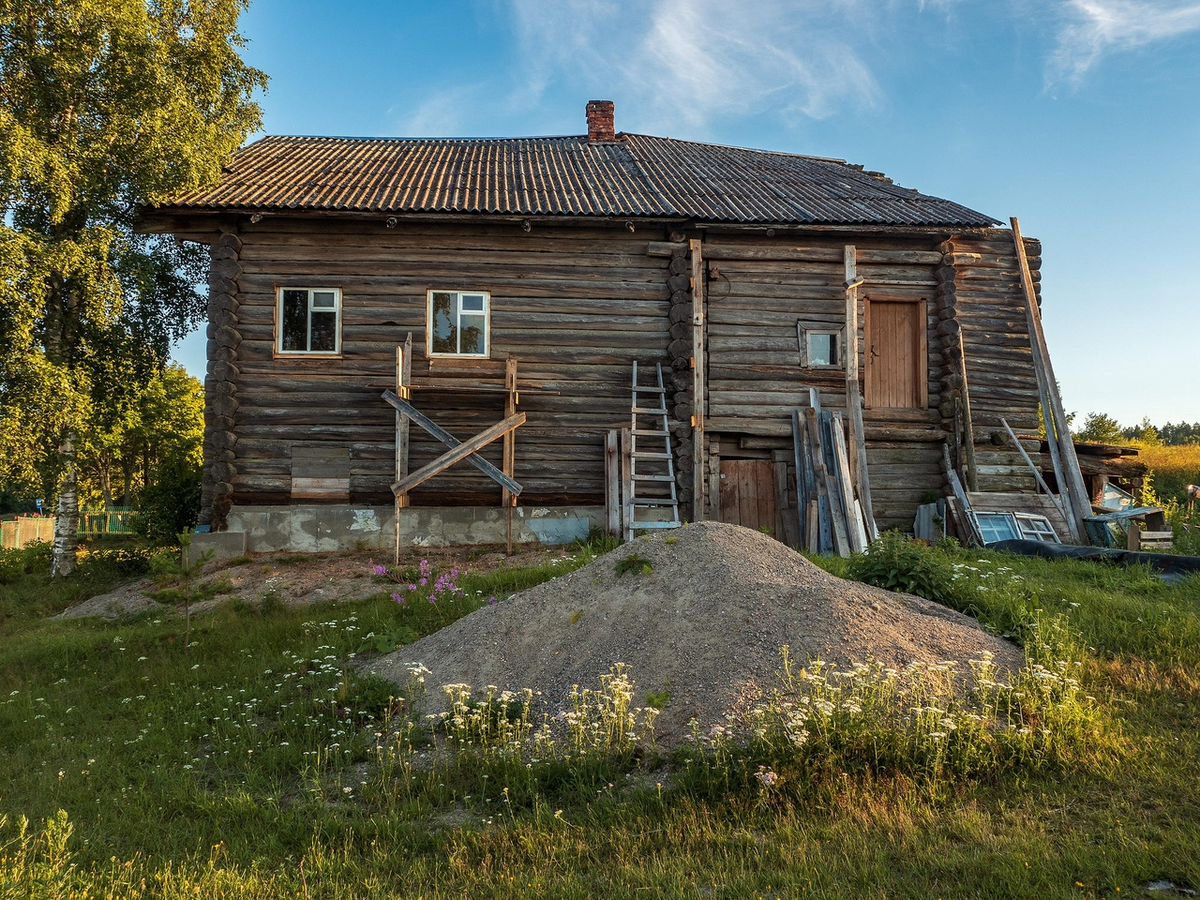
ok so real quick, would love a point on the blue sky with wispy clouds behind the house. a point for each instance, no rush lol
(1079, 117)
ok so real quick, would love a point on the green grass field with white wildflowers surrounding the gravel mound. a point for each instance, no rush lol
(257, 764)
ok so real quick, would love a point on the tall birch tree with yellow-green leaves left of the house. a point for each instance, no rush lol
(105, 105)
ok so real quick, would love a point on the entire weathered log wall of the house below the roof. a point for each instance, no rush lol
(577, 307)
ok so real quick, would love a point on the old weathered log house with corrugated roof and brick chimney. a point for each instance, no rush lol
(531, 274)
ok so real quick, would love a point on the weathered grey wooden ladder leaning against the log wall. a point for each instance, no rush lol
(651, 487)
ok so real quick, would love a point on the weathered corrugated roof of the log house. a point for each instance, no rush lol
(635, 176)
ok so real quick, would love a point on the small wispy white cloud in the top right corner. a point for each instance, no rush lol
(1096, 28)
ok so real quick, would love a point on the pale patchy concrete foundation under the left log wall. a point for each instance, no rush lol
(331, 527)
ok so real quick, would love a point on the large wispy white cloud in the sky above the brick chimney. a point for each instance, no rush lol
(694, 62)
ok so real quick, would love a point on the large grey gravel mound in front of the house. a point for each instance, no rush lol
(707, 621)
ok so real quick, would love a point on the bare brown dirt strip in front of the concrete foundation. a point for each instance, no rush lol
(295, 580)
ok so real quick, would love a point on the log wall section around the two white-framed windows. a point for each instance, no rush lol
(577, 307)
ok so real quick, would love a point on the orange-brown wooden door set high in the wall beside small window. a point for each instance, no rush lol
(896, 364)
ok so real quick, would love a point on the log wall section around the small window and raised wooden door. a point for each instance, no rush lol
(754, 355)
